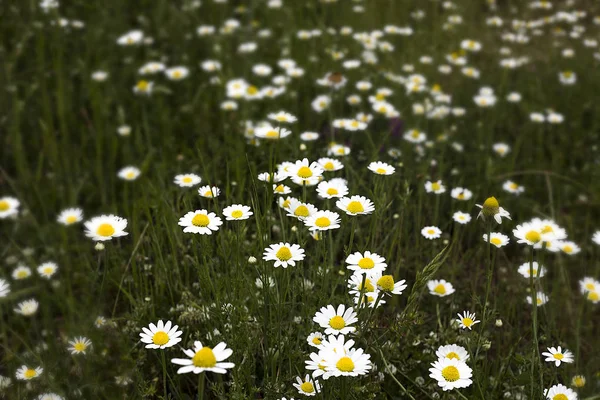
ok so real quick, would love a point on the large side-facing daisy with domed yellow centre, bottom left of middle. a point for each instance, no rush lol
(203, 358)
